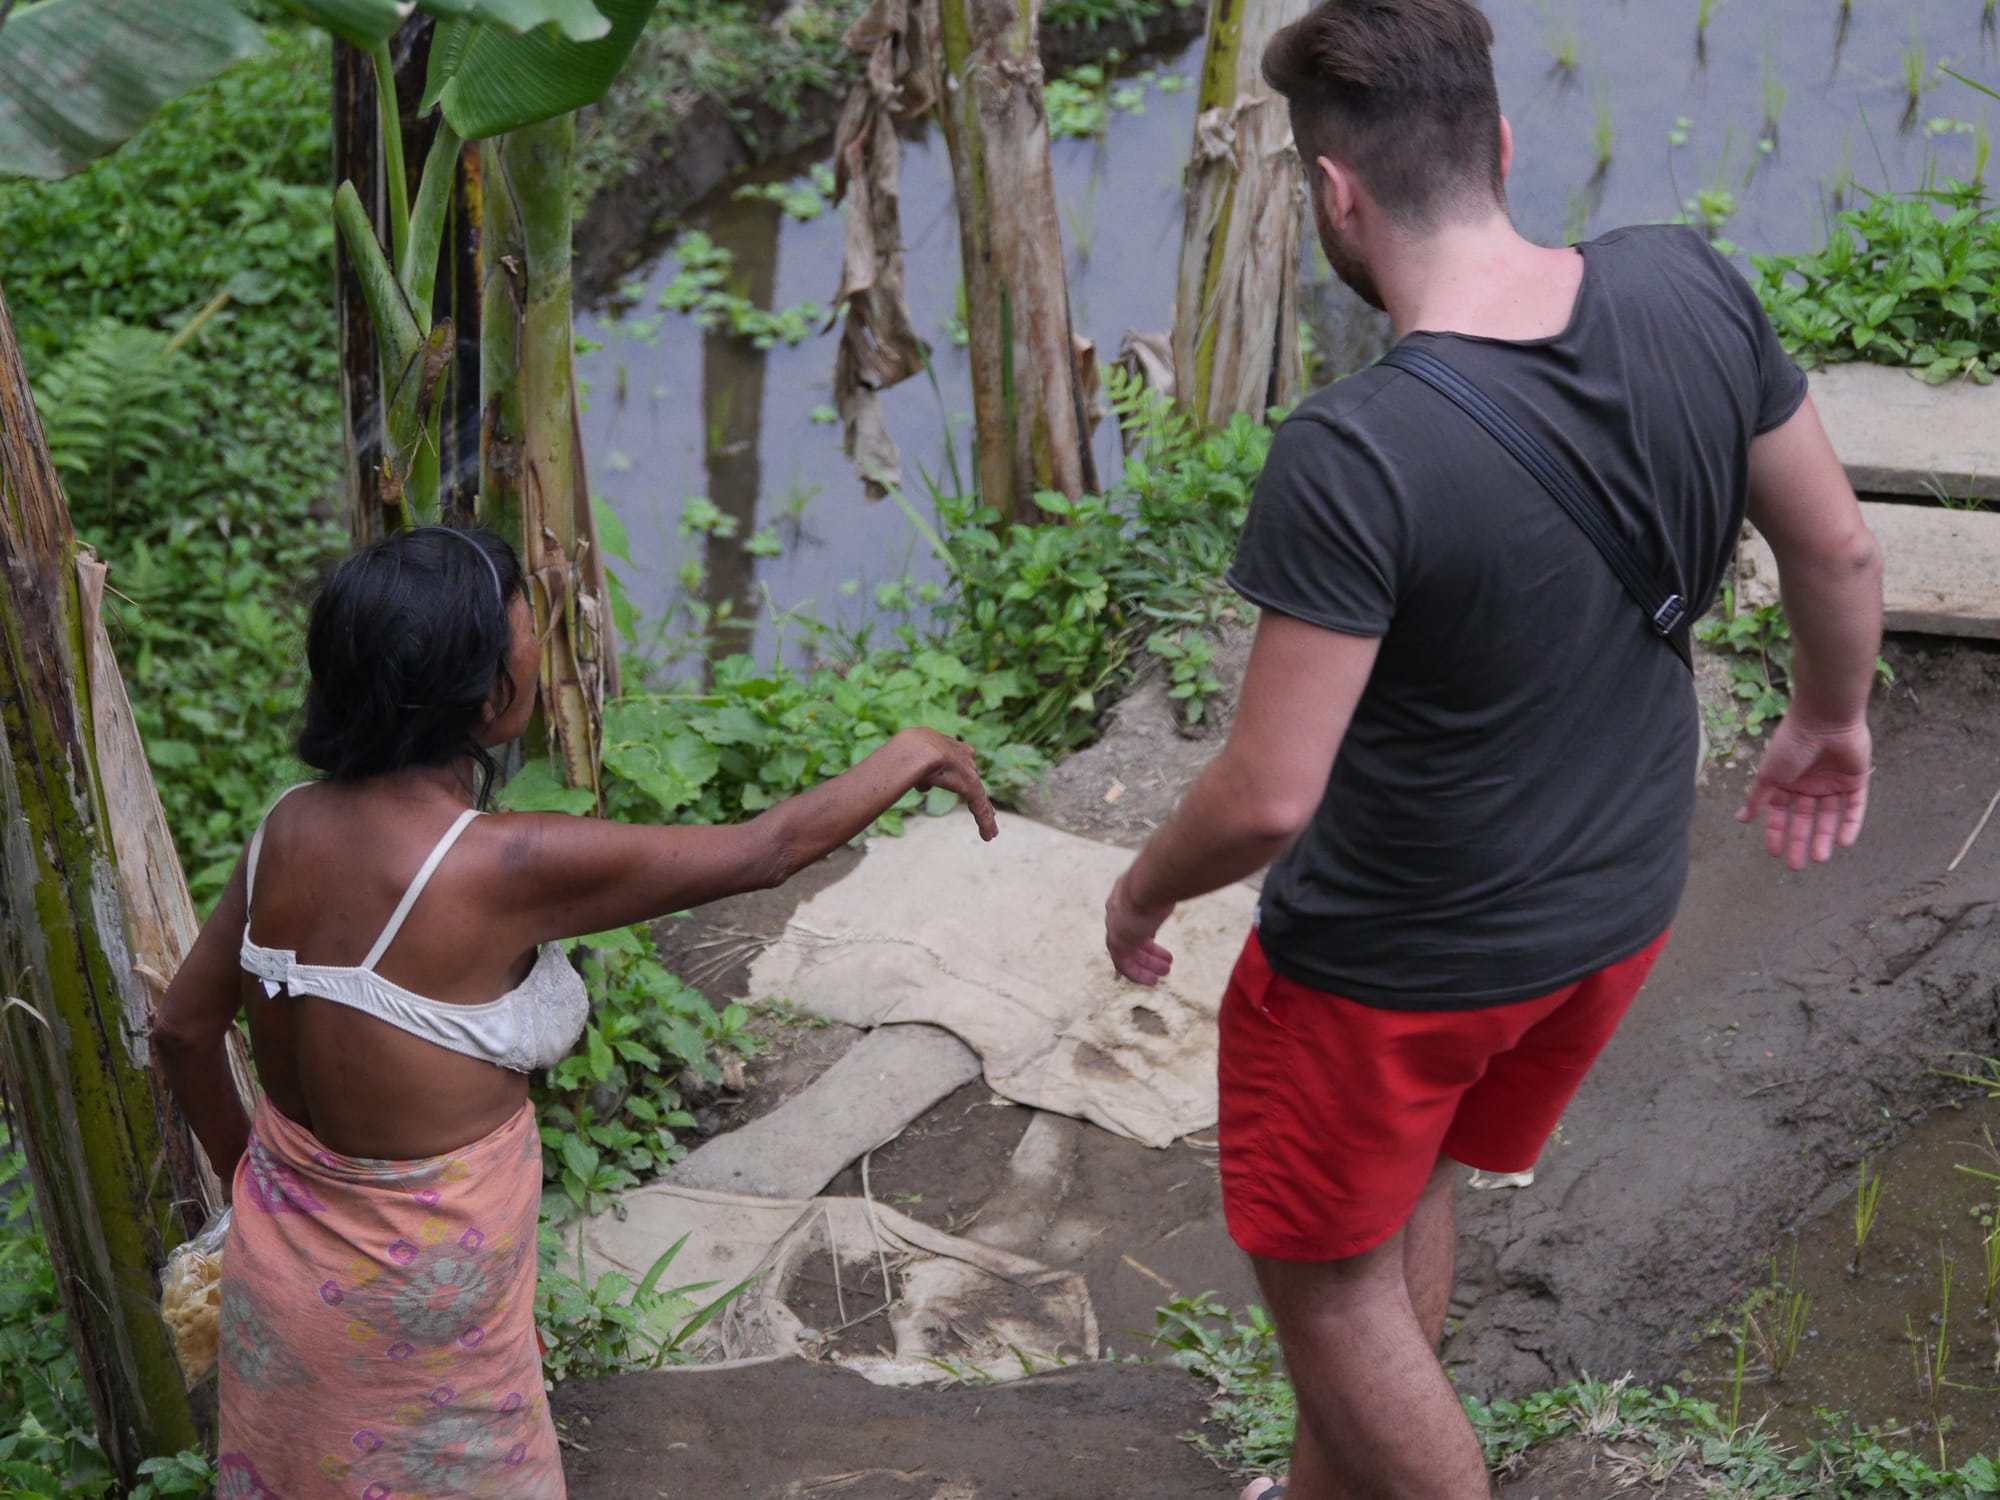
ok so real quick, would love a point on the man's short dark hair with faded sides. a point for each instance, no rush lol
(1401, 91)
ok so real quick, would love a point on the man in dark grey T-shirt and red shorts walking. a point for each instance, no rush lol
(1463, 743)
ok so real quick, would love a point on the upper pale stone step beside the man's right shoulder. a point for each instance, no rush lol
(1895, 435)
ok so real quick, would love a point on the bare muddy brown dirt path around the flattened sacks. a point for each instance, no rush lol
(1793, 1025)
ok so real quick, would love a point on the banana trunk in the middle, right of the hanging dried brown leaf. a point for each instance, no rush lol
(1029, 401)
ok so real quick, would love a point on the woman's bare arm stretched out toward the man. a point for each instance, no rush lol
(571, 877)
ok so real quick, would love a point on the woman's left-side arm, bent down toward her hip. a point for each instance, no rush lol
(193, 1027)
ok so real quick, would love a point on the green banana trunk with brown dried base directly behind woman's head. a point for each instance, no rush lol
(533, 483)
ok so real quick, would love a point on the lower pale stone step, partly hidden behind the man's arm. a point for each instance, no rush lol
(1941, 569)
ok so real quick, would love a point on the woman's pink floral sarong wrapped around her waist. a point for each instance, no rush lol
(379, 1323)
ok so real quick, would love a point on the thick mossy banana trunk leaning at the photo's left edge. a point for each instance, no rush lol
(115, 1175)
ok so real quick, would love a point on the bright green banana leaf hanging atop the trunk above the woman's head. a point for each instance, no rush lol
(491, 81)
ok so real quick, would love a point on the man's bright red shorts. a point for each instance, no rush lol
(1335, 1113)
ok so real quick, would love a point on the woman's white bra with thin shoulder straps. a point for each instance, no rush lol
(531, 1027)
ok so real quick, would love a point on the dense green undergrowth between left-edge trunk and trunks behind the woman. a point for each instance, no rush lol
(199, 477)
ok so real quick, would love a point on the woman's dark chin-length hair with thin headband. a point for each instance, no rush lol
(407, 643)
